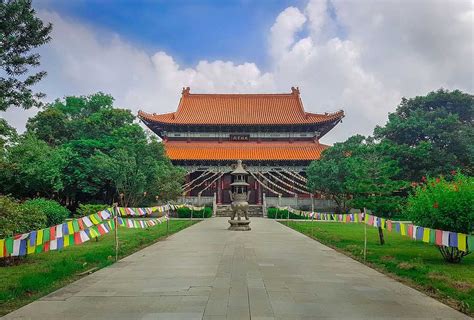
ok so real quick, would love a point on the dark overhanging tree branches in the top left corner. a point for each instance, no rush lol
(20, 32)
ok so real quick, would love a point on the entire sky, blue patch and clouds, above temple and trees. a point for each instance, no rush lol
(361, 56)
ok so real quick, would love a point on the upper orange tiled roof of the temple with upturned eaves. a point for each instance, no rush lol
(241, 109)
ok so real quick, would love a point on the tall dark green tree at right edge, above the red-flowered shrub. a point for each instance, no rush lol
(431, 135)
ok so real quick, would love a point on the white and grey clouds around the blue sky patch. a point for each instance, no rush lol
(361, 56)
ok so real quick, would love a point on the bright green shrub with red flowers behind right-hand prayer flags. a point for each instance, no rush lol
(444, 205)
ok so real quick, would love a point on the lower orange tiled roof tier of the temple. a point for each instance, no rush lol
(298, 150)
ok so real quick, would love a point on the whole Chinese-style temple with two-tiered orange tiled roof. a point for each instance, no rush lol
(271, 133)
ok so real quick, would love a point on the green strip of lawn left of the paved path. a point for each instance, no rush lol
(40, 274)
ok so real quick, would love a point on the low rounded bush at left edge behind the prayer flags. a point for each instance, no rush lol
(15, 219)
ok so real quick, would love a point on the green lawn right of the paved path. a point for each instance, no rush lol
(415, 263)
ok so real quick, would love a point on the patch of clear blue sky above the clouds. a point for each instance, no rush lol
(188, 30)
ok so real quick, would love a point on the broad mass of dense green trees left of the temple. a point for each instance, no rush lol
(82, 149)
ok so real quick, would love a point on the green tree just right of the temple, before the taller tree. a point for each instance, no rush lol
(356, 173)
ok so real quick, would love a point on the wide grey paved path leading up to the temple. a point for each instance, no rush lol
(207, 272)
